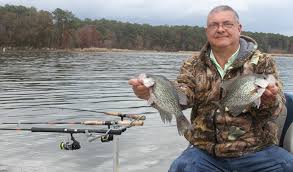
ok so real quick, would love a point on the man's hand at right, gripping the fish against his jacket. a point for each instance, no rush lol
(270, 94)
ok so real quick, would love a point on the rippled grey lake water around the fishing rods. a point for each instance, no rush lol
(69, 87)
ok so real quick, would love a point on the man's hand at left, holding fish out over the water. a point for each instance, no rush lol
(139, 89)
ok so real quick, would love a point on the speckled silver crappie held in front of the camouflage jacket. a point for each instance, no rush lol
(242, 92)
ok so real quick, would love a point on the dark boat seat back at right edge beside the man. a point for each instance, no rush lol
(285, 122)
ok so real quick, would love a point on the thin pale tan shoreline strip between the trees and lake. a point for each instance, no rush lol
(95, 49)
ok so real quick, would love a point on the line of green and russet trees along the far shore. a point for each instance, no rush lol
(24, 27)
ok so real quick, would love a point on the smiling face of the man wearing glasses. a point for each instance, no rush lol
(223, 30)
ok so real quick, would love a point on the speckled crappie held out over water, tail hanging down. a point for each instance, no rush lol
(166, 99)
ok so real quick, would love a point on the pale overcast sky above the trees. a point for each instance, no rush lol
(273, 16)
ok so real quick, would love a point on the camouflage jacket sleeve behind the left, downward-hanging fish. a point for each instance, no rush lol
(186, 81)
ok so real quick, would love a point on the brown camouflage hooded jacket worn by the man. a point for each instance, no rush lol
(223, 135)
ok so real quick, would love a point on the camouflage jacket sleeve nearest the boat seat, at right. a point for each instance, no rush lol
(266, 65)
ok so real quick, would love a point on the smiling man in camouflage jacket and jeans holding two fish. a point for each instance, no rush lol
(228, 55)
